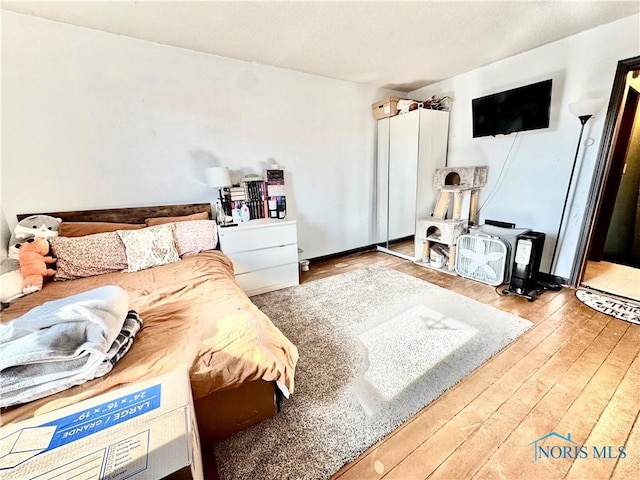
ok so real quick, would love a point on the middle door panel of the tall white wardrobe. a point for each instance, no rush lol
(403, 168)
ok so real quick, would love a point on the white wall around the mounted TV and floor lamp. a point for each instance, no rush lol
(537, 164)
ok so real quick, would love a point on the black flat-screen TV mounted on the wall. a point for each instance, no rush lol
(516, 110)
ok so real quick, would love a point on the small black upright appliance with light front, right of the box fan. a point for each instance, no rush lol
(526, 263)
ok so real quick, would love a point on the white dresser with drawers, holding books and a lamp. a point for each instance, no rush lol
(264, 254)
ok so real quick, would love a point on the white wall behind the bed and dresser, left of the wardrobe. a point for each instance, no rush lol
(96, 120)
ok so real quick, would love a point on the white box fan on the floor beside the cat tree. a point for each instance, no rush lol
(482, 258)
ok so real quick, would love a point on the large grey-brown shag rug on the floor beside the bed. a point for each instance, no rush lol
(375, 347)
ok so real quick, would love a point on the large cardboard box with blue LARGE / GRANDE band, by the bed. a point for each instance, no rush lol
(146, 430)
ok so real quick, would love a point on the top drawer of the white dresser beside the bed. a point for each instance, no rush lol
(257, 236)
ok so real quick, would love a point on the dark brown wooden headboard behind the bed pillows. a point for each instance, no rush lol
(127, 215)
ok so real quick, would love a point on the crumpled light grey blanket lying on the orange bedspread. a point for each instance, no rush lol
(59, 344)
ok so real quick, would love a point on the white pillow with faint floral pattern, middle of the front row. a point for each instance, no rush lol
(149, 247)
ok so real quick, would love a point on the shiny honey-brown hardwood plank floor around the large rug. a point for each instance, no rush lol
(575, 372)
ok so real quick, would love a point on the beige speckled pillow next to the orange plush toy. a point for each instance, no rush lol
(90, 255)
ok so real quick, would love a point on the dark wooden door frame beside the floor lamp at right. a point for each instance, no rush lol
(602, 169)
